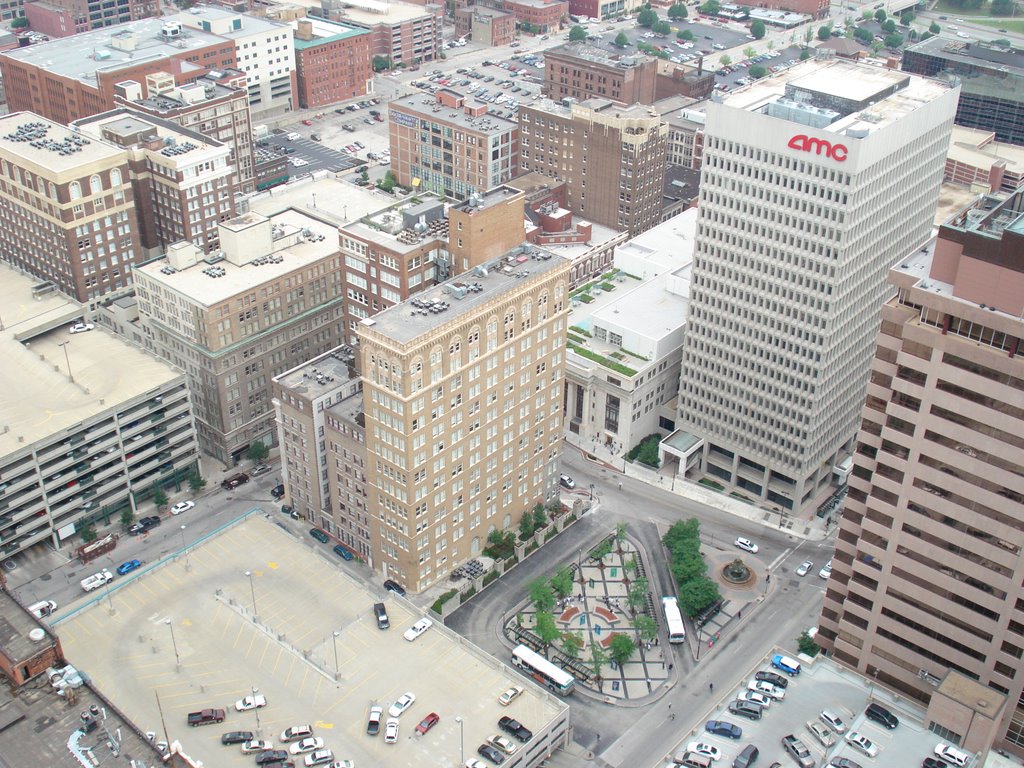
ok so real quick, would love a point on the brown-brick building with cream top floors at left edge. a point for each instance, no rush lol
(69, 214)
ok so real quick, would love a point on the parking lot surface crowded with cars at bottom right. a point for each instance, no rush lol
(820, 687)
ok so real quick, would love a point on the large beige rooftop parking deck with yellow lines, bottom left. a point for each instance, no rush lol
(303, 631)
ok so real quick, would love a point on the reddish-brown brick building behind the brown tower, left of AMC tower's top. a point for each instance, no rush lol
(582, 71)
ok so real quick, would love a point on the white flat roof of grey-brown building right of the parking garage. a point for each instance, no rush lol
(208, 291)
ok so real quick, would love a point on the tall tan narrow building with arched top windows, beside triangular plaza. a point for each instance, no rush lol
(463, 413)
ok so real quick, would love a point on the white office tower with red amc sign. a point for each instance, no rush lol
(816, 182)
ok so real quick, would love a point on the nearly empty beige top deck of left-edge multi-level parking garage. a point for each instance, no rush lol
(37, 398)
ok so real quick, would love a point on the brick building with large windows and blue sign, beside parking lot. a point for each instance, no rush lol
(442, 144)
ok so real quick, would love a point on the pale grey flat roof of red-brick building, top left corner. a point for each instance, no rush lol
(81, 57)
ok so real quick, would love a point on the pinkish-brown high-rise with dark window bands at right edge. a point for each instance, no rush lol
(926, 579)
